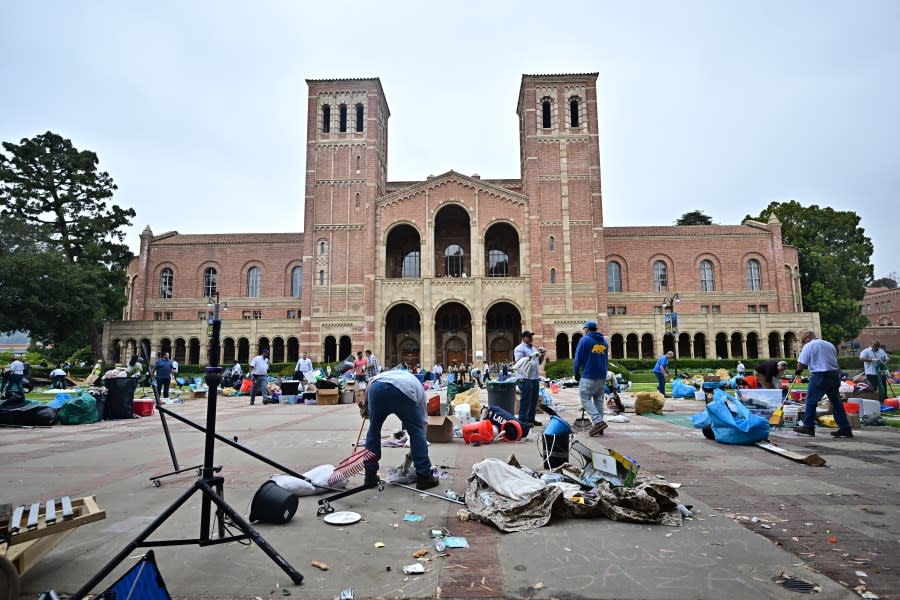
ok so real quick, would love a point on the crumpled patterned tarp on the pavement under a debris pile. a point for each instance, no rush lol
(647, 502)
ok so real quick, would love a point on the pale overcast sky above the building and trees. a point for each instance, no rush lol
(198, 109)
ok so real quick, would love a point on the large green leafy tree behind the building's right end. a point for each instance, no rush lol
(835, 255)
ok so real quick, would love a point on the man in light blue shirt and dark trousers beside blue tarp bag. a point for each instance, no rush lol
(824, 380)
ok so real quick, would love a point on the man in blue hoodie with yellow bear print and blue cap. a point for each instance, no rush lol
(591, 365)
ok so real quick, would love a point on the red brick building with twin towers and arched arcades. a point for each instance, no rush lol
(453, 268)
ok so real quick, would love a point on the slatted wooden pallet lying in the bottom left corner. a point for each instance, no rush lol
(34, 530)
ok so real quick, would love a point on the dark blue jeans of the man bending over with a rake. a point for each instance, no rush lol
(386, 400)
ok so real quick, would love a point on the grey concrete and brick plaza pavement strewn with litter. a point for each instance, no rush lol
(757, 515)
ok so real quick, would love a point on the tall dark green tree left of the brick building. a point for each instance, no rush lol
(62, 251)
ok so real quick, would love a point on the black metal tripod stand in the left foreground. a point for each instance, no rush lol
(209, 485)
